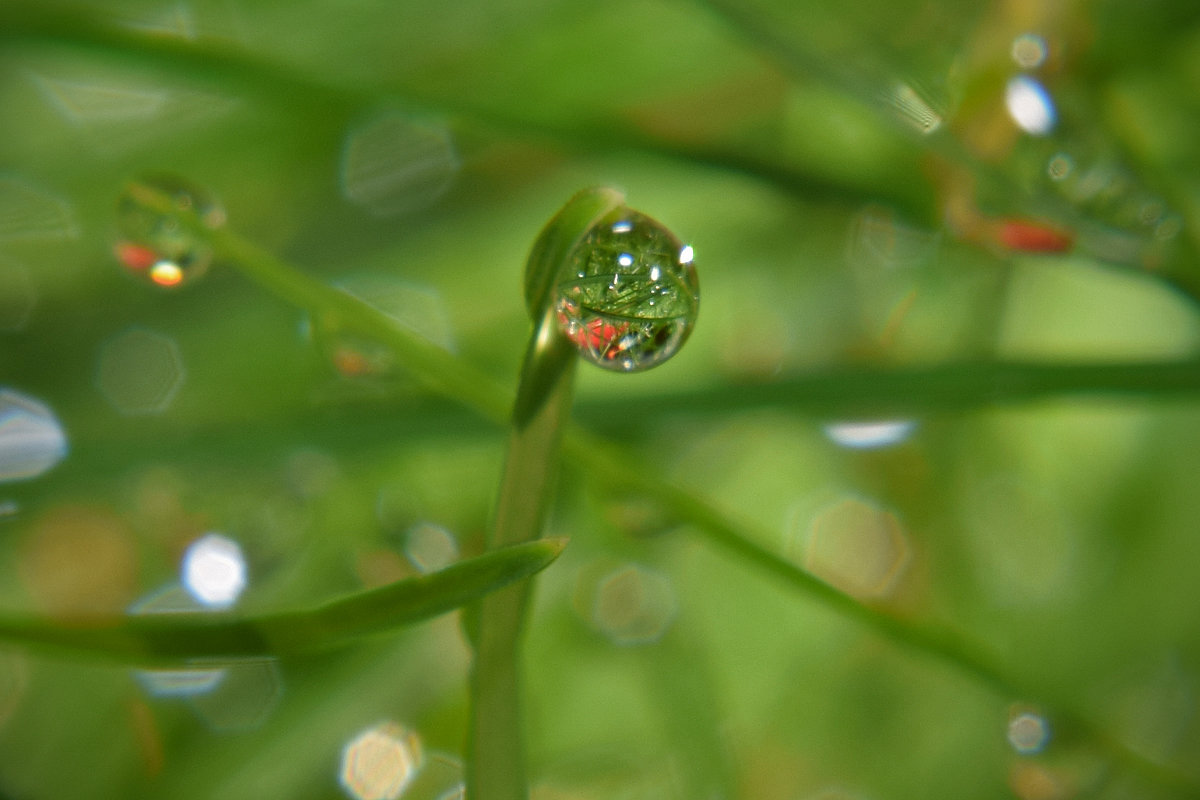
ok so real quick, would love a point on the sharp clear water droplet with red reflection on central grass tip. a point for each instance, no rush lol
(634, 296)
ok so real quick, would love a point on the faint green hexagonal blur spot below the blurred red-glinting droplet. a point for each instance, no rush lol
(140, 372)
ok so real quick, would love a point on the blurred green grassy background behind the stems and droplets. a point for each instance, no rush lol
(859, 195)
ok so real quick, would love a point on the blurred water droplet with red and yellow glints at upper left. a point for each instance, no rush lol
(158, 248)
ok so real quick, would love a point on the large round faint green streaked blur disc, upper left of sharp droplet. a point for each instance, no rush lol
(394, 165)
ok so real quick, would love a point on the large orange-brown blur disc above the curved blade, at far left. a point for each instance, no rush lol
(80, 560)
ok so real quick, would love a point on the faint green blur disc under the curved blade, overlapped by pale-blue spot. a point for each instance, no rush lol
(244, 699)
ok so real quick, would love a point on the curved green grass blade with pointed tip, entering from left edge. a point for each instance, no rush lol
(173, 639)
